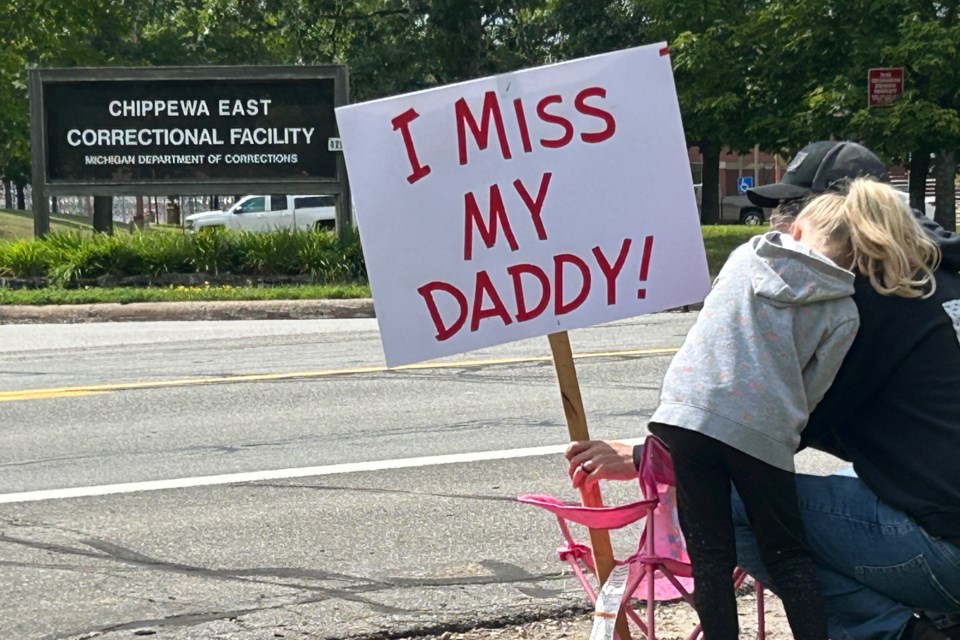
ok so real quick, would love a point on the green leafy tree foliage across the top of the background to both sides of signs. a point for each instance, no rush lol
(769, 72)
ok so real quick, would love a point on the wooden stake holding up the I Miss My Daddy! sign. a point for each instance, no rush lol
(577, 427)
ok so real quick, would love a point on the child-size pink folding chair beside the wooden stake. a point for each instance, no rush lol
(659, 570)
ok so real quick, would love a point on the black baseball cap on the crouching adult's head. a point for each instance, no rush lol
(816, 168)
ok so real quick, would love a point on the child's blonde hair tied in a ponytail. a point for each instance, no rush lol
(885, 242)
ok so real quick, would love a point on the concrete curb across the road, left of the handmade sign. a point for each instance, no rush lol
(186, 311)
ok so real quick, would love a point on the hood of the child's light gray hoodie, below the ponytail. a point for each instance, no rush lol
(788, 272)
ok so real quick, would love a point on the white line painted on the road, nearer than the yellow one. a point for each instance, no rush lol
(284, 474)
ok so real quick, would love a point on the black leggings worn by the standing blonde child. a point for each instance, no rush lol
(704, 468)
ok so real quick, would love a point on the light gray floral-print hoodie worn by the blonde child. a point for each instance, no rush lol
(764, 349)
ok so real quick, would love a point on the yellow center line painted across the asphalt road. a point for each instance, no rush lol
(70, 392)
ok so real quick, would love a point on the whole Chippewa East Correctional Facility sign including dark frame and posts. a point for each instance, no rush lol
(186, 131)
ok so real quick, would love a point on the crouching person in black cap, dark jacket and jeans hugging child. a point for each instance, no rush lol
(885, 539)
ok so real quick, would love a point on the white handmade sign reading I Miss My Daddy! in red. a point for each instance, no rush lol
(524, 204)
